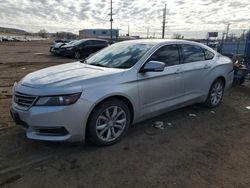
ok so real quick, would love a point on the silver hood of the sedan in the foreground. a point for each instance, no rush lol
(66, 75)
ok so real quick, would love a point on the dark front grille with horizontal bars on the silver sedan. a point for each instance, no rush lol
(24, 100)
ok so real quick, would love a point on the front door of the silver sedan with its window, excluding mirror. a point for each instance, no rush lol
(160, 90)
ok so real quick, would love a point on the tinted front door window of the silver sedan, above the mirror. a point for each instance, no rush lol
(168, 54)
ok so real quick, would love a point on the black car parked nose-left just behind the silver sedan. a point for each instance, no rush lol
(83, 48)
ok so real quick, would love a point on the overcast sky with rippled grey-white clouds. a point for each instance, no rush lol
(188, 17)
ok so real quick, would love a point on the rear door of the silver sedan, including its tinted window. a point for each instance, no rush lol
(195, 70)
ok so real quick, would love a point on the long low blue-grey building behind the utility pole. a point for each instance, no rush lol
(98, 33)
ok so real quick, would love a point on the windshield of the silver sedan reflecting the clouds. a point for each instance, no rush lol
(119, 55)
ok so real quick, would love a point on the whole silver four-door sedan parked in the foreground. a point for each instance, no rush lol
(122, 84)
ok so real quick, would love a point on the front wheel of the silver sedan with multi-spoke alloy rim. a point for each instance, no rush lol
(109, 122)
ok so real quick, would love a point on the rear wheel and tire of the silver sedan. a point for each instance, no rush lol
(215, 94)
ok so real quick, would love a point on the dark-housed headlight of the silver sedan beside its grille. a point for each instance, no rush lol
(61, 100)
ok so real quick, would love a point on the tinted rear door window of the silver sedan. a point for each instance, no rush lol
(192, 53)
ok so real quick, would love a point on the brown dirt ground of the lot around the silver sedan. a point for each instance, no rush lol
(209, 150)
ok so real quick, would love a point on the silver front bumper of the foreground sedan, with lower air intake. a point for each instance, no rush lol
(54, 123)
